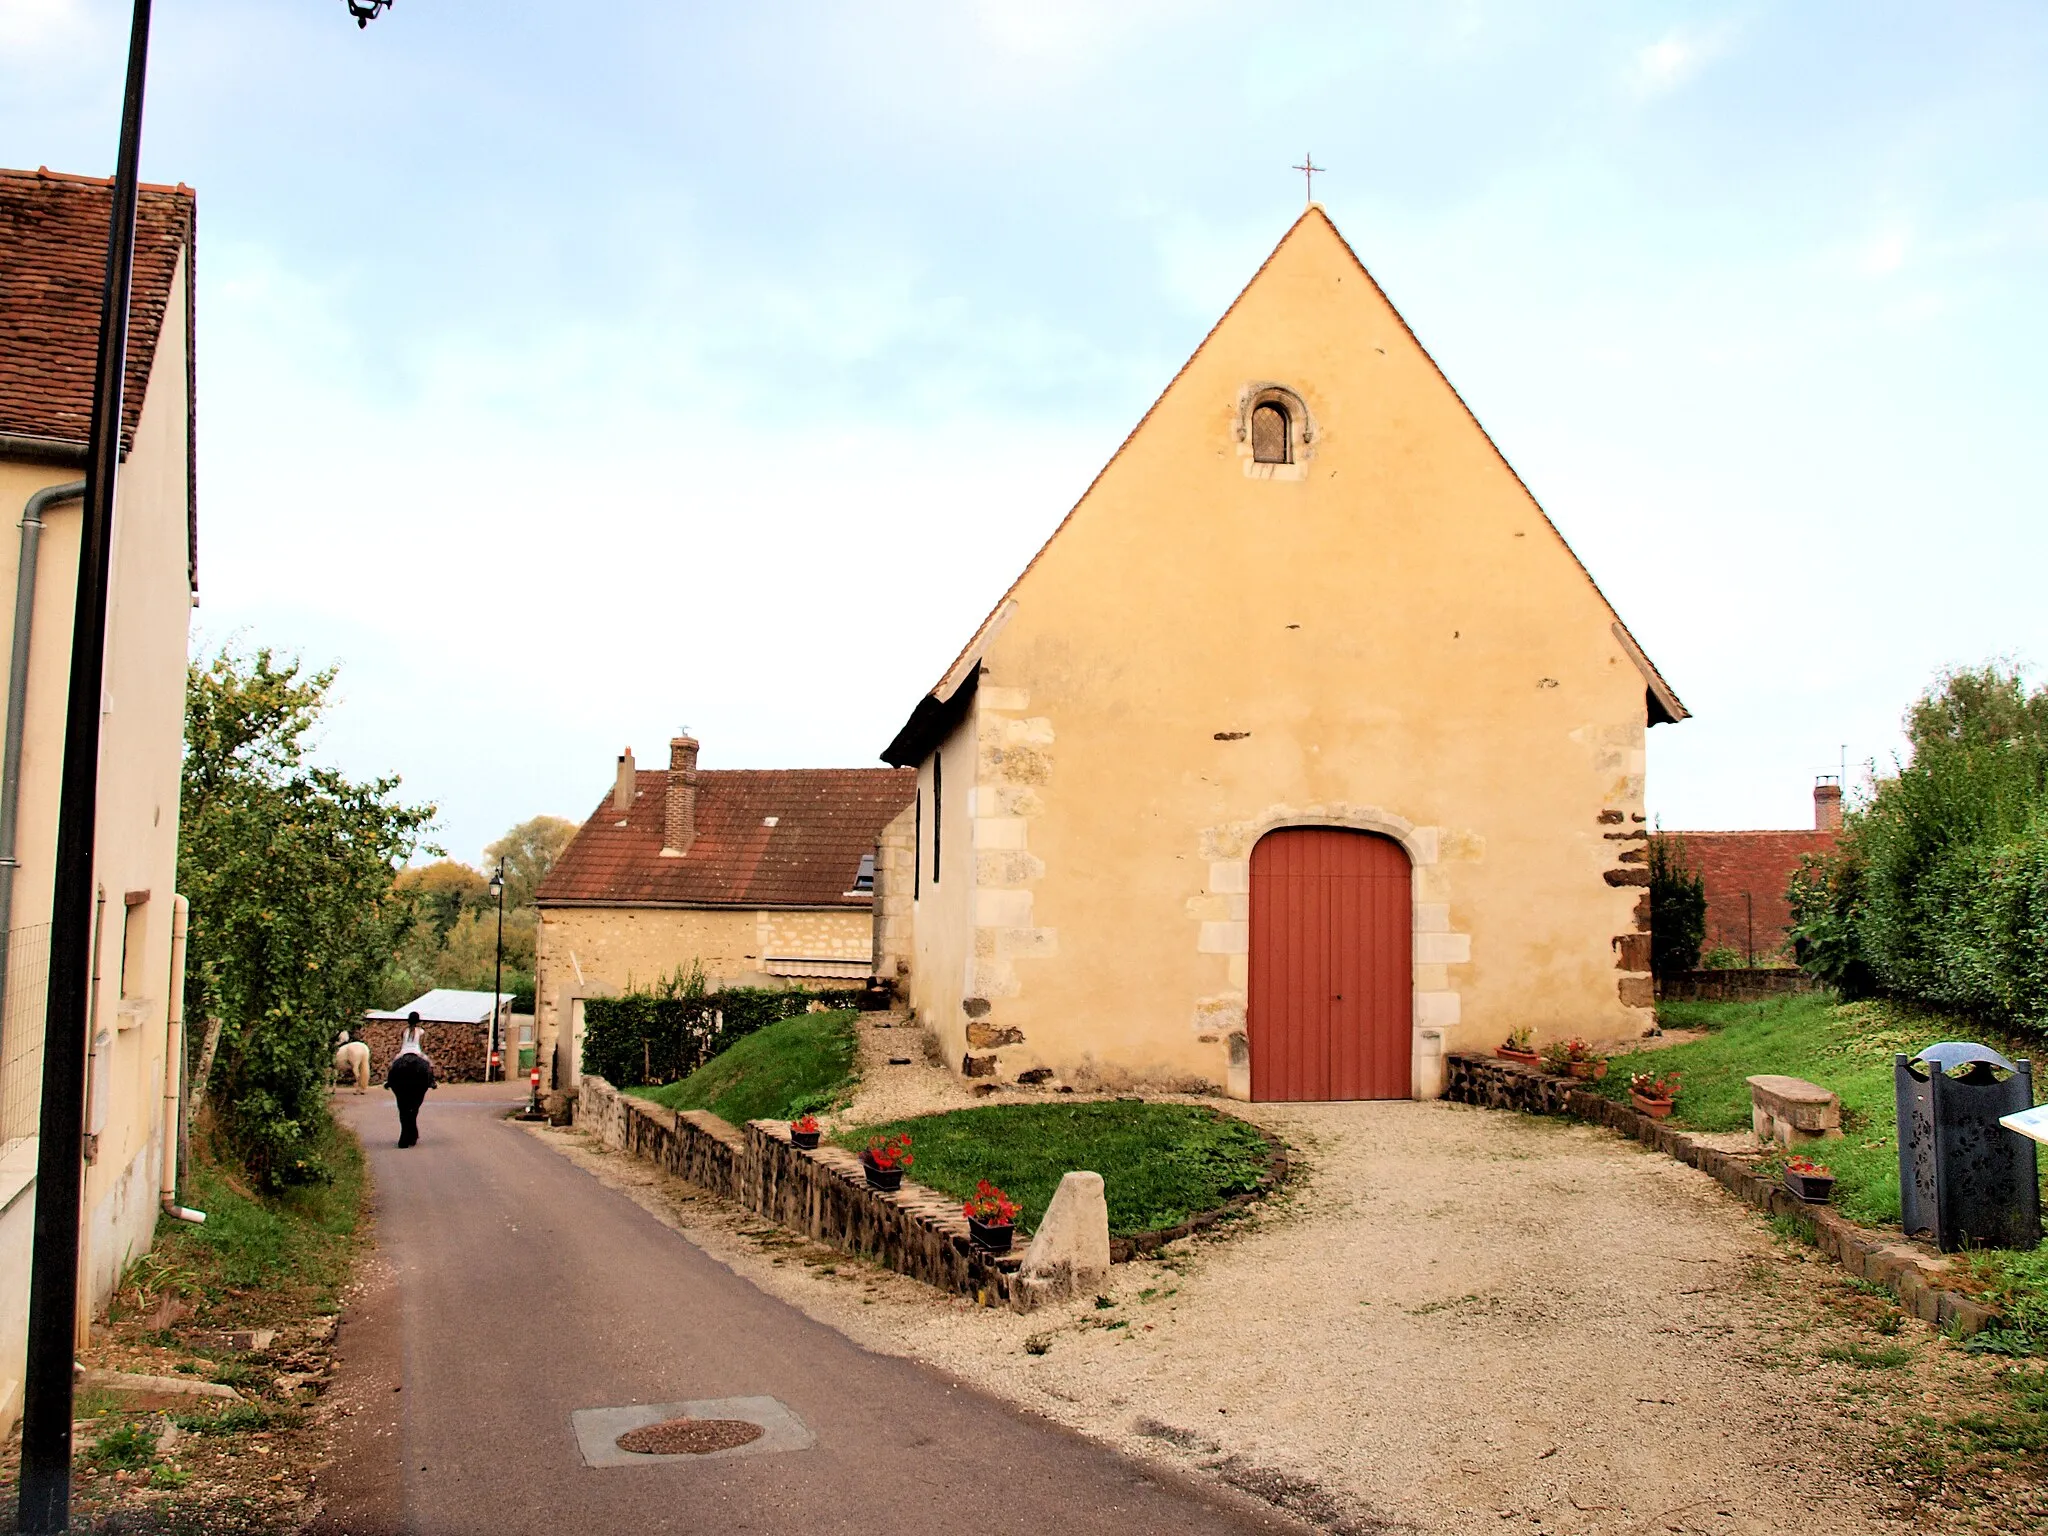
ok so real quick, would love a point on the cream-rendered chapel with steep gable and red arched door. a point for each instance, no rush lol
(1304, 753)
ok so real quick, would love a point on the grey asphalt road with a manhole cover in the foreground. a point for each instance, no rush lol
(511, 1289)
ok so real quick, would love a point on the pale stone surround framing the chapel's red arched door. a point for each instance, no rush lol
(1437, 947)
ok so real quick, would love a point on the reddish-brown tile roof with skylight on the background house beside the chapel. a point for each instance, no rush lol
(824, 822)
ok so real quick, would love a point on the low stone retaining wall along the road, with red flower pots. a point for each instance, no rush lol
(822, 1193)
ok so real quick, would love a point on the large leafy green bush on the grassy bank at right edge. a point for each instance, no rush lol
(1938, 890)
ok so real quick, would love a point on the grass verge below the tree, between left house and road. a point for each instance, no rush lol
(257, 1250)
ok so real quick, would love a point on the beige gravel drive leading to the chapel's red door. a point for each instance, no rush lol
(1453, 1320)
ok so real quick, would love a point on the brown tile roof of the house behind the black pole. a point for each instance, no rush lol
(52, 271)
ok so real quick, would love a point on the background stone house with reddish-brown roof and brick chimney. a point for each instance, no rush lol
(759, 876)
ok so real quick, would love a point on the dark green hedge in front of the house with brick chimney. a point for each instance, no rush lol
(656, 1037)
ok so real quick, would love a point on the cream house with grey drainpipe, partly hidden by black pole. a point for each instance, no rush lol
(52, 265)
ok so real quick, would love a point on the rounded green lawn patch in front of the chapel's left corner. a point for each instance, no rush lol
(1160, 1162)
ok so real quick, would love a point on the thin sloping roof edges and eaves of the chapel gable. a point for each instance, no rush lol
(943, 703)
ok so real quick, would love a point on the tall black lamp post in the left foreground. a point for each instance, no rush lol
(46, 1424)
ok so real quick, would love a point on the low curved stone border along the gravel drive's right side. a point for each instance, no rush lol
(1881, 1258)
